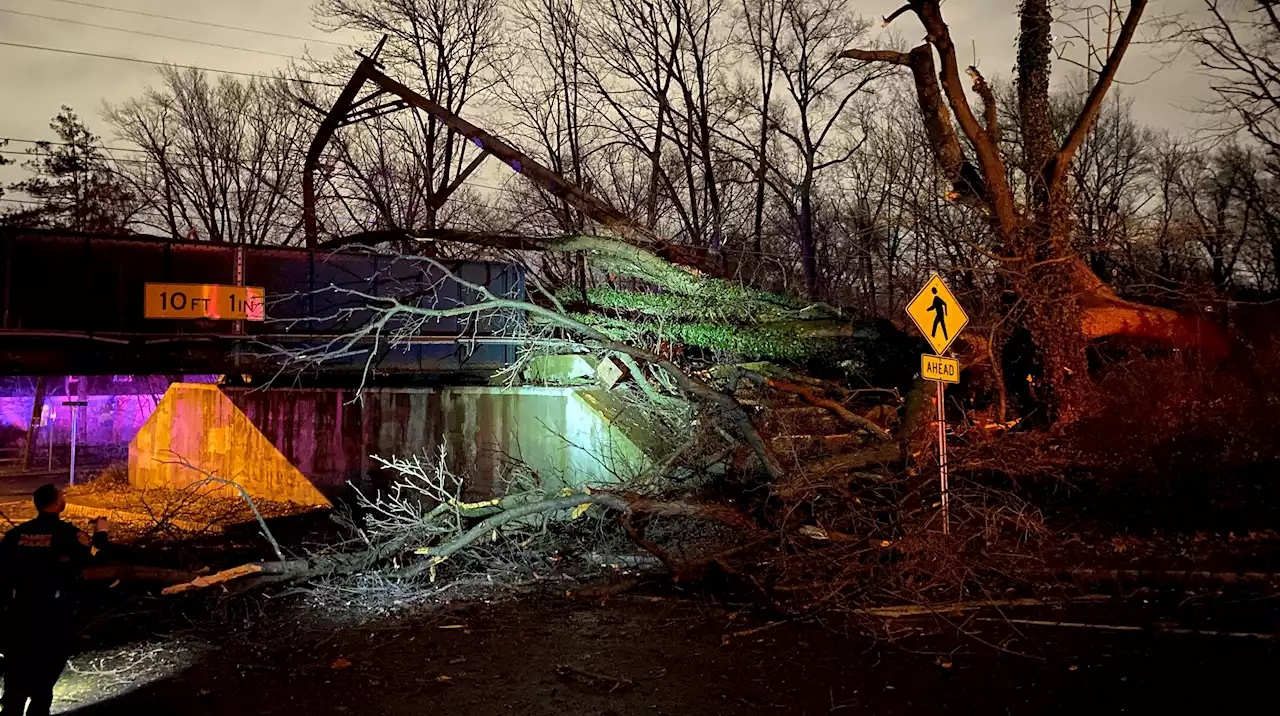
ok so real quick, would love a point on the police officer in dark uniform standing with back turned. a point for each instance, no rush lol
(40, 567)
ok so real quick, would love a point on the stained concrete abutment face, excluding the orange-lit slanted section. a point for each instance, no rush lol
(330, 435)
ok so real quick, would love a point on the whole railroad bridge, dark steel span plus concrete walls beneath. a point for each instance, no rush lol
(75, 331)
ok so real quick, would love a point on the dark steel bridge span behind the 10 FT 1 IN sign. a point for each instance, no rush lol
(74, 304)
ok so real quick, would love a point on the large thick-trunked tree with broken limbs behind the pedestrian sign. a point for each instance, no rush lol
(1067, 303)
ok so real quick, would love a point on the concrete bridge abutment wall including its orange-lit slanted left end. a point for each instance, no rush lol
(327, 436)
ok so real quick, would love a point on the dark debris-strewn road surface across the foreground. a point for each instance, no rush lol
(664, 655)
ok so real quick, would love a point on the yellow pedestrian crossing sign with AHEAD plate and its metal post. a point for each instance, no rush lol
(936, 308)
